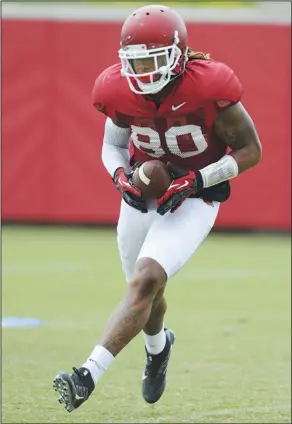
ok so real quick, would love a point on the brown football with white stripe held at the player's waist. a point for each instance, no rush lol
(152, 179)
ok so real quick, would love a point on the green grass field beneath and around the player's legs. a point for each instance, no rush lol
(229, 307)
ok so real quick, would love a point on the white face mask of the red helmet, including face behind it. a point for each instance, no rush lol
(160, 62)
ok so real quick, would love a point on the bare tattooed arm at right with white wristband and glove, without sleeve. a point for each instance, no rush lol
(236, 128)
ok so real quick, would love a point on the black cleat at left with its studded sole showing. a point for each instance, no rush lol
(74, 389)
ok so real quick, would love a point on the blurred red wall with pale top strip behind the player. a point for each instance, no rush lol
(52, 135)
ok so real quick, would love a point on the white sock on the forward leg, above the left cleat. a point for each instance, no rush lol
(98, 362)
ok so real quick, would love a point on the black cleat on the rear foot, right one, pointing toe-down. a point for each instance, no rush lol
(154, 377)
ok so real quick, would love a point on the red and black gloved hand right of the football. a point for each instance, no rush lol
(183, 185)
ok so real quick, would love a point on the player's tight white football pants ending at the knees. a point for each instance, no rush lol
(170, 239)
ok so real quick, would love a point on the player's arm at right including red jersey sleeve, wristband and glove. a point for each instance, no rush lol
(234, 126)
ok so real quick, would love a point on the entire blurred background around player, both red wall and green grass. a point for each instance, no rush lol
(61, 274)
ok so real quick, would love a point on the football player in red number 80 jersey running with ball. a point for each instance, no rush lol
(168, 102)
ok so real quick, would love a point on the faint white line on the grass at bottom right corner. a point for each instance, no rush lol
(248, 410)
